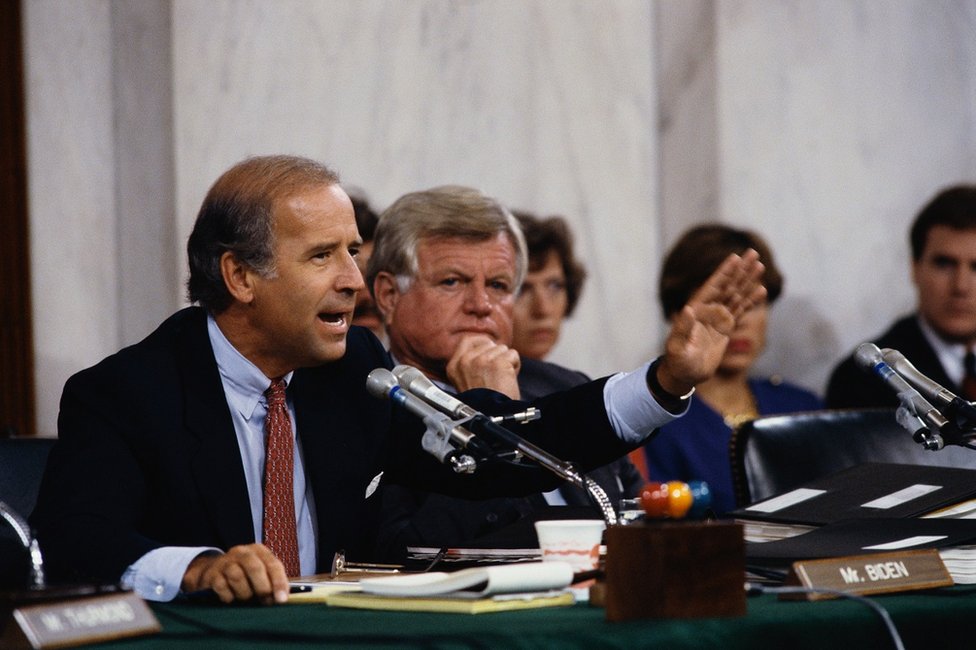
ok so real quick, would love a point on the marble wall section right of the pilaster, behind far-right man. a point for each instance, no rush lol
(837, 121)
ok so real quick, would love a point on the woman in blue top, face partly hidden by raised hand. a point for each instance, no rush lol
(697, 446)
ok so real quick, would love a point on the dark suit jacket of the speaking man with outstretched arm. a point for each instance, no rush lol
(147, 455)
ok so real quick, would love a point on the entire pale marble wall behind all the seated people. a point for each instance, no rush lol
(823, 125)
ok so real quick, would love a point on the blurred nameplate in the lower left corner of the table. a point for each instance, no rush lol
(80, 621)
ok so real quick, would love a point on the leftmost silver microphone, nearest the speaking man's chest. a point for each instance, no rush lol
(443, 436)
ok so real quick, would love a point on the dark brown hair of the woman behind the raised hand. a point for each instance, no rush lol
(699, 252)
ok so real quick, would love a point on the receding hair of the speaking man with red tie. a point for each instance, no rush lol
(236, 216)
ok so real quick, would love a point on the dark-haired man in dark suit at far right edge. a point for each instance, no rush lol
(940, 335)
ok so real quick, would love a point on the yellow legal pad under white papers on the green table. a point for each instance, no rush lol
(498, 603)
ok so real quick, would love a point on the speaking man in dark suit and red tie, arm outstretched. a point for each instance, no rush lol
(162, 477)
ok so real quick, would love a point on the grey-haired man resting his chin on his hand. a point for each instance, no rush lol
(445, 274)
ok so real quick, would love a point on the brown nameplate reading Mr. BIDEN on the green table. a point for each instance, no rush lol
(875, 573)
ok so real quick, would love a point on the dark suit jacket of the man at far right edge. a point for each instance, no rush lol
(852, 387)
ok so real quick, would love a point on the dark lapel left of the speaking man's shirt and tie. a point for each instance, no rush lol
(216, 466)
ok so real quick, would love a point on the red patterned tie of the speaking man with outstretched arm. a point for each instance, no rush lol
(280, 529)
